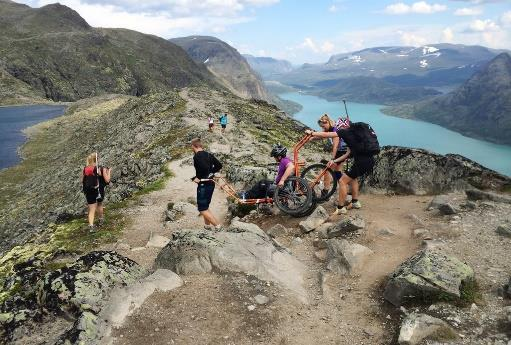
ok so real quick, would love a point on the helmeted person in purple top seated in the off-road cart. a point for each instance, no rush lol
(265, 188)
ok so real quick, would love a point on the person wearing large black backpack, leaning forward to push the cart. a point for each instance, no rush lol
(362, 146)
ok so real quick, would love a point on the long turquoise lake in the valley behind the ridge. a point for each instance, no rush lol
(404, 132)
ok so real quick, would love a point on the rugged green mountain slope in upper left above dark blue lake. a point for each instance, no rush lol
(52, 52)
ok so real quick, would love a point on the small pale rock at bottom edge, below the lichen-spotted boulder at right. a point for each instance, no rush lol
(418, 327)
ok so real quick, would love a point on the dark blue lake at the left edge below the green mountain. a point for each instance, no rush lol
(13, 120)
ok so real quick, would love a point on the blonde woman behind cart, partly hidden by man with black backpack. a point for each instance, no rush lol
(339, 147)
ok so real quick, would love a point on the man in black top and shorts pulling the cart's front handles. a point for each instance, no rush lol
(206, 165)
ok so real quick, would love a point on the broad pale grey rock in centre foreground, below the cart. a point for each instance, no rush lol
(243, 247)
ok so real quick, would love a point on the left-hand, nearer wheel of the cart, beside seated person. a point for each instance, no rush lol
(294, 197)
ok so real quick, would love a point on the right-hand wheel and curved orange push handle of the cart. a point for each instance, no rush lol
(321, 179)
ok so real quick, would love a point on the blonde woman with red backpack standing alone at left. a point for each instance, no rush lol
(94, 180)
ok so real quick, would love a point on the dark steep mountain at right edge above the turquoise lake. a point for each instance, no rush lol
(481, 107)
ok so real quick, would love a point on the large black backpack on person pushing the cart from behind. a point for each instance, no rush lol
(361, 138)
